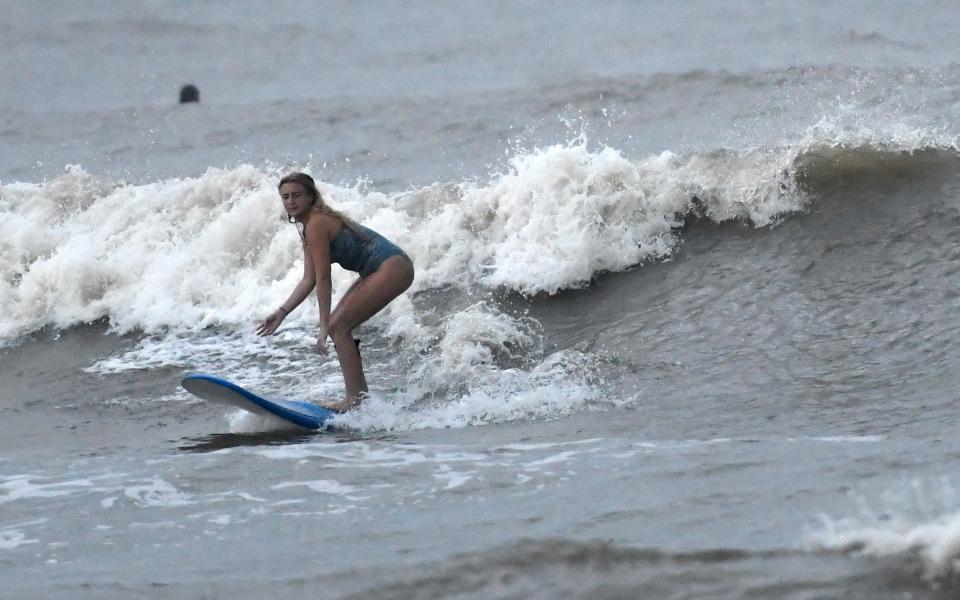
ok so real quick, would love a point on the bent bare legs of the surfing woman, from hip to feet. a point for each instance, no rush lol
(364, 299)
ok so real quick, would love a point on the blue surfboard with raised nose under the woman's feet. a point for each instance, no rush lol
(215, 389)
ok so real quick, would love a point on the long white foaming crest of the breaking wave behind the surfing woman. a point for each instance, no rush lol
(194, 252)
